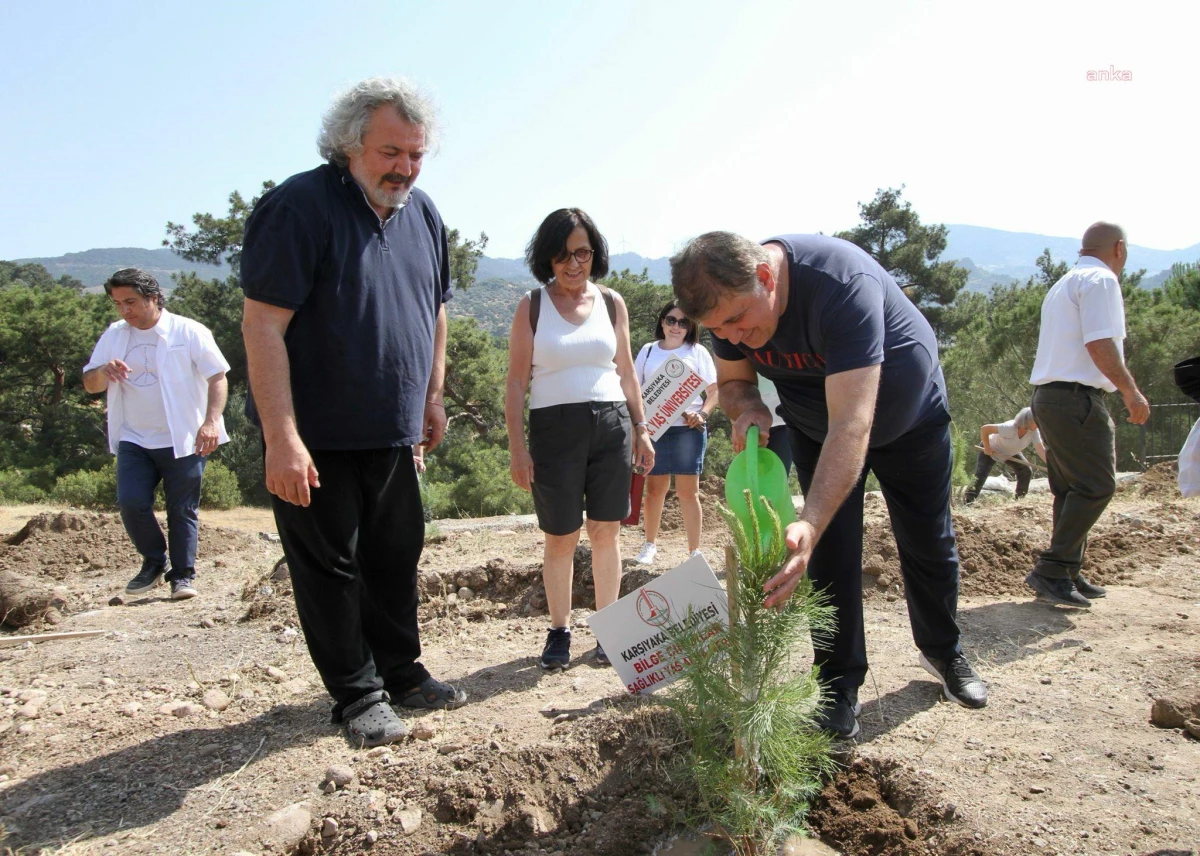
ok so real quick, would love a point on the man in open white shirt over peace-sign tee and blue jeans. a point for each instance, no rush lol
(166, 384)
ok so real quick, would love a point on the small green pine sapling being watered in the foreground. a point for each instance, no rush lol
(748, 705)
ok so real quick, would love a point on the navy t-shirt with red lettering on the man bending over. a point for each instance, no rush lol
(844, 312)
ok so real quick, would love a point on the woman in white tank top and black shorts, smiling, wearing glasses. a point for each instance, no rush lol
(569, 346)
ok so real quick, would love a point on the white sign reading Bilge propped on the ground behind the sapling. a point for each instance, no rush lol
(637, 631)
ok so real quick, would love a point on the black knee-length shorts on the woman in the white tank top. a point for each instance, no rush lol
(583, 458)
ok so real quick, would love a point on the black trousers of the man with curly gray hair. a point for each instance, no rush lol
(353, 556)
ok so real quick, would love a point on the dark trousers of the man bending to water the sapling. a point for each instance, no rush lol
(915, 476)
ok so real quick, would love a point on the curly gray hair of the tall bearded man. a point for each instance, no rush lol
(346, 122)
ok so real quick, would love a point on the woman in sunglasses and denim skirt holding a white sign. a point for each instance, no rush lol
(680, 451)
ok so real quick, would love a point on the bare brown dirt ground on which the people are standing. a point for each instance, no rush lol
(202, 727)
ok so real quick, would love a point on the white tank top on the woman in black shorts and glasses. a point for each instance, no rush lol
(574, 364)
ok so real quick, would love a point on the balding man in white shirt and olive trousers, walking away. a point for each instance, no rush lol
(1081, 357)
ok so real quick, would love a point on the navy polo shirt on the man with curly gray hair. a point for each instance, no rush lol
(367, 298)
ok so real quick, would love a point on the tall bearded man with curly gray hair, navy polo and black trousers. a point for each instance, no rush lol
(346, 272)
